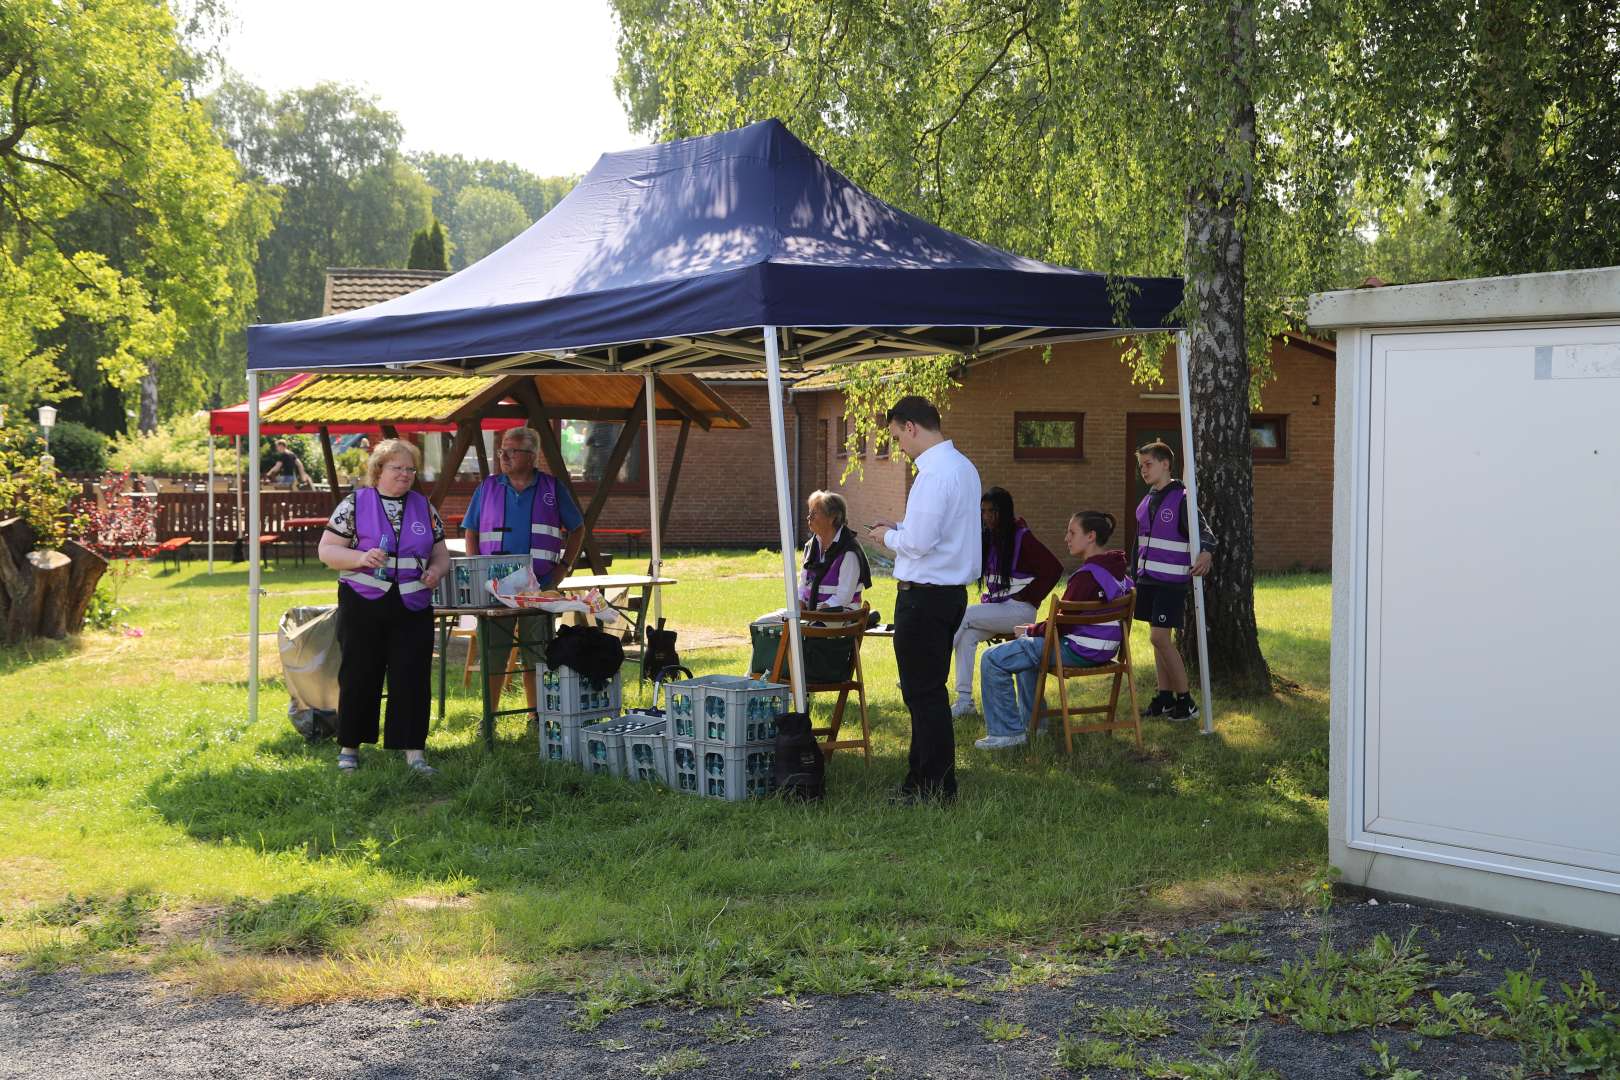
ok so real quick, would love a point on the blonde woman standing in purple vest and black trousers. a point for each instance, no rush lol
(386, 542)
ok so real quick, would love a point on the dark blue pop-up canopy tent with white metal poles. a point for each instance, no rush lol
(722, 253)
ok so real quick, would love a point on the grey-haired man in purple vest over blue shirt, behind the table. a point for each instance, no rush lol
(524, 511)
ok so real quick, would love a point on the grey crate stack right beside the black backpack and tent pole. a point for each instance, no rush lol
(723, 736)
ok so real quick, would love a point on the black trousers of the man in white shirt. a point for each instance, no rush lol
(926, 623)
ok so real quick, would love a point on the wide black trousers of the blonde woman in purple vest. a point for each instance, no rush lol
(383, 640)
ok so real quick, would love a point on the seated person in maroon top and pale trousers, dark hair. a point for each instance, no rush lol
(1018, 574)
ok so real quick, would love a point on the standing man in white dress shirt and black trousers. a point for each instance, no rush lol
(936, 558)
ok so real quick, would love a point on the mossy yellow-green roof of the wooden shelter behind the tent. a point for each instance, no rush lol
(445, 402)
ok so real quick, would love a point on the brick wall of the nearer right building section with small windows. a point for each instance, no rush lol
(1294, 496)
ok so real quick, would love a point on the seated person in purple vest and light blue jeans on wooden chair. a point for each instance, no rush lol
(1007, 673)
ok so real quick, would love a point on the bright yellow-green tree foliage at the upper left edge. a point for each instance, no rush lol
(116, 195)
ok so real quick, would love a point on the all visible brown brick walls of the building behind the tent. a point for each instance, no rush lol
(728, 498)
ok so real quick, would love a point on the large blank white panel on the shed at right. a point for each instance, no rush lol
(1494, 593)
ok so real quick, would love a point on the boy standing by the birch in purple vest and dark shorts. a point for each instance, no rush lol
(1164, 569)
